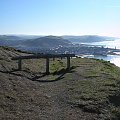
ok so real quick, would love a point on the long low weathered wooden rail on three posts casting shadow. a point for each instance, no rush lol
(46, 56)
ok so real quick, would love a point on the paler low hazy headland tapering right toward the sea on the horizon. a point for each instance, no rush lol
(87, 38)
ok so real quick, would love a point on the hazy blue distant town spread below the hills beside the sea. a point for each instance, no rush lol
(78, 49)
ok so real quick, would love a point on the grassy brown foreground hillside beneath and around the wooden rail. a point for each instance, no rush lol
(89, 91)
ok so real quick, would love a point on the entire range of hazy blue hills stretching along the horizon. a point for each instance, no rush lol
(38, 43)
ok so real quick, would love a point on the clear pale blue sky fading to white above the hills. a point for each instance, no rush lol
(60, 17)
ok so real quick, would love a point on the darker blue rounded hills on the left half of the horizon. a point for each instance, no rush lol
(41, 42)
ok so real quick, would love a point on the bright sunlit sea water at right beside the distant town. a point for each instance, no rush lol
(115, 59)
